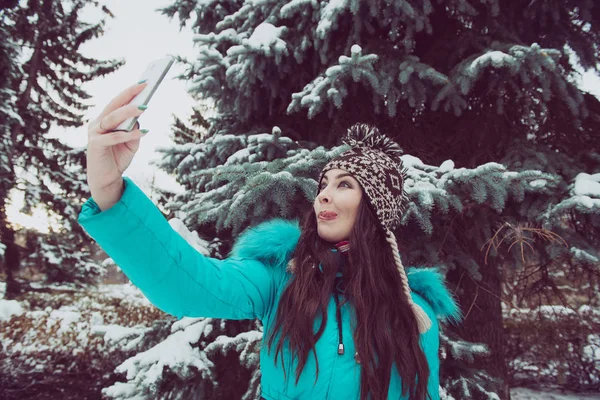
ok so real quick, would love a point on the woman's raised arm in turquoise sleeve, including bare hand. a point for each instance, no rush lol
(131, 229)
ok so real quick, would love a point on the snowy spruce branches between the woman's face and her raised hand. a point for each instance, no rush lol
(235, 181)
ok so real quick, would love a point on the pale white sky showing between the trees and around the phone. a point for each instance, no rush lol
(138, 34)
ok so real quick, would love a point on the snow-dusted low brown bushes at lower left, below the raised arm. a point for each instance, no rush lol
(65, 319)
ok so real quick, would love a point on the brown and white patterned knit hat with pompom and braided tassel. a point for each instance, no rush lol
(374, 161)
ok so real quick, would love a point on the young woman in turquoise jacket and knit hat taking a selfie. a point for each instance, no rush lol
(342, 318)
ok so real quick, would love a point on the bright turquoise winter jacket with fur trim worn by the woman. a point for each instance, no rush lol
(248, 284)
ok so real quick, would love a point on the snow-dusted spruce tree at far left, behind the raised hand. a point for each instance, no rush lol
(45, 90)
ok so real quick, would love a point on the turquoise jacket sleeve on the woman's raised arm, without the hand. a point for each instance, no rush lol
(171, 273)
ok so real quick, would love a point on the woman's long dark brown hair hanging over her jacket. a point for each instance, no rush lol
(386, 330)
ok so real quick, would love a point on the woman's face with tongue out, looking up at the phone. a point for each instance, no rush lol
(336, 205)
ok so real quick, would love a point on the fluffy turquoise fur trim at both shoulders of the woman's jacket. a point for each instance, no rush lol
(273, 242)
